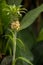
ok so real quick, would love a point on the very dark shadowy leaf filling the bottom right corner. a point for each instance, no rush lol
(37, 51)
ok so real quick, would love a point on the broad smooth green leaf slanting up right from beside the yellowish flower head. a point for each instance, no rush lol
(30, 17)
